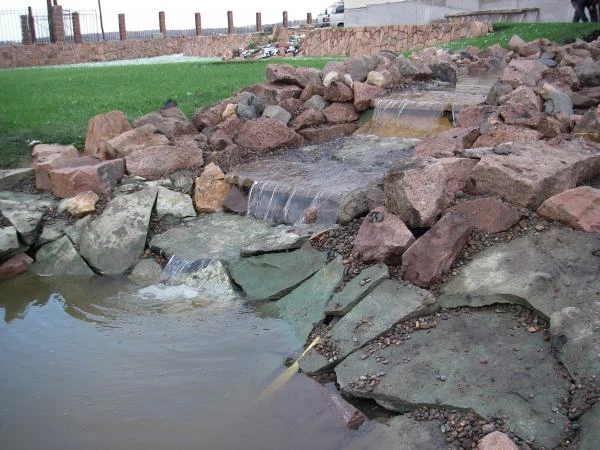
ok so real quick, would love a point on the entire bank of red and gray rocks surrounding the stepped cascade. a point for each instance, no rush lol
(414, 306)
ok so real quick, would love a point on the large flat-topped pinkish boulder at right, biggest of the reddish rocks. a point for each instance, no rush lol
(527, 174)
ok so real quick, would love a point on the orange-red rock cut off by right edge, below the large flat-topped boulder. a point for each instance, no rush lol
(577, 208)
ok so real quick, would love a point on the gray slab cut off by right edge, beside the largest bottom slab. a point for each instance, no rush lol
(575, 334)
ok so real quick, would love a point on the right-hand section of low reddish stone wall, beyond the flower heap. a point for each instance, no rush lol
(370, 40)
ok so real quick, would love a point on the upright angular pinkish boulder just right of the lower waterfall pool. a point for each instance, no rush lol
(415, 191)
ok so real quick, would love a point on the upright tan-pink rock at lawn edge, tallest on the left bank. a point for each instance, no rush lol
(102, 128)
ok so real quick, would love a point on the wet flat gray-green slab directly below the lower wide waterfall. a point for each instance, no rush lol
(217, 235)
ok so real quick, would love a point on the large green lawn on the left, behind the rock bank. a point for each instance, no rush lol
(54, 104)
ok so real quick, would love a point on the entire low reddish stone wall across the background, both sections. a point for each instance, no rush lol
(321, 42)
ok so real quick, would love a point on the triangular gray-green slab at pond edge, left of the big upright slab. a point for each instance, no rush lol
(59, 258)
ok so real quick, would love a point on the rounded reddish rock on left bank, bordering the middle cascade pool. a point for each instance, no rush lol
(264, 134)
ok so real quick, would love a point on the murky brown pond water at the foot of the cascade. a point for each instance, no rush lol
(105, 364)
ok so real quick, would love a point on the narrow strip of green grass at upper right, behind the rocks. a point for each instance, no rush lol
(561, 33)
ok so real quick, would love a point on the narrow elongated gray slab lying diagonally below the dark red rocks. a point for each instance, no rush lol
(357, 289)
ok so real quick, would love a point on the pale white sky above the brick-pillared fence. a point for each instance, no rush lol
(179, 14)
